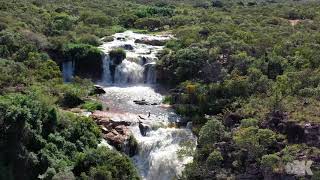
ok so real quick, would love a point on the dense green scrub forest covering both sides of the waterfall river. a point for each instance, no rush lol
(245, 72)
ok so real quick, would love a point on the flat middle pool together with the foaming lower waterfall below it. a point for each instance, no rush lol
(157, 157)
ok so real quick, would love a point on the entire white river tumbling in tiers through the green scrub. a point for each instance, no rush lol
(135, 80)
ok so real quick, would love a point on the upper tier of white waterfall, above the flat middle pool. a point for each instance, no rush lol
(140, 62)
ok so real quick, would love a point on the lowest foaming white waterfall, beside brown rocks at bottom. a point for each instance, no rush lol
(158, 153)
